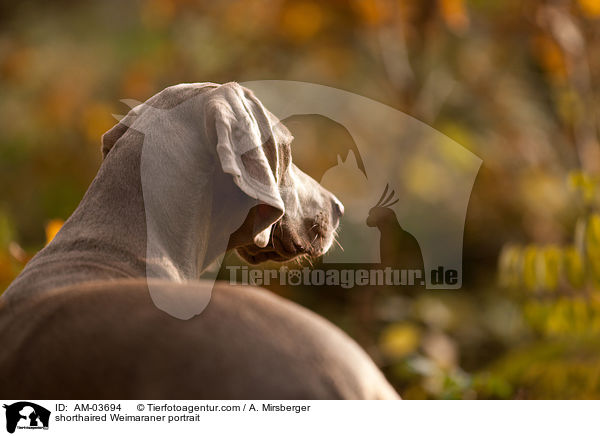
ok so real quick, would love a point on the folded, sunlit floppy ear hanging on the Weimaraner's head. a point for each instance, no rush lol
(246, 146)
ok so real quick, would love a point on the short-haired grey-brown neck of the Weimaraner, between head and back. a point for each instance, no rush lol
(123, 228)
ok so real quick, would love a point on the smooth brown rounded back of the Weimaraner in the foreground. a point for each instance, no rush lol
(108, 340)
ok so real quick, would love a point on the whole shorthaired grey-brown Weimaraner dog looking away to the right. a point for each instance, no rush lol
(196, 170)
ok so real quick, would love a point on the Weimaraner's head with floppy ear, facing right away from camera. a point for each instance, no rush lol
(285, 213)
